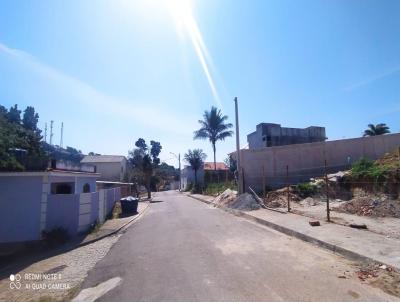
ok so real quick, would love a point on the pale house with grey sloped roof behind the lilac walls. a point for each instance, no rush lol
(110, 167)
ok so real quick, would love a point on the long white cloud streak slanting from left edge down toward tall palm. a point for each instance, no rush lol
(147, 113)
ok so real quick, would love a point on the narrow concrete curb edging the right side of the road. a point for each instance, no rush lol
(329, 246)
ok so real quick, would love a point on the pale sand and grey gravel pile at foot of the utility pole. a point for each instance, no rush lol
(229, 198)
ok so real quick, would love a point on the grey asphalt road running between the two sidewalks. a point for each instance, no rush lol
(185, 250)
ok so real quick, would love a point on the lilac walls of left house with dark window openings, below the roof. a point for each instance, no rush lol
(32, 202)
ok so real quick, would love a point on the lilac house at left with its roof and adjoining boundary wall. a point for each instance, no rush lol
(64, 195)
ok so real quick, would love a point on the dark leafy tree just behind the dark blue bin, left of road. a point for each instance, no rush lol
(143, 161)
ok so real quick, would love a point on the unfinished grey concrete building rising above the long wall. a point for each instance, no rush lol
(270, 135)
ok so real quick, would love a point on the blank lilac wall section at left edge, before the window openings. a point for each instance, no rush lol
(20, 208)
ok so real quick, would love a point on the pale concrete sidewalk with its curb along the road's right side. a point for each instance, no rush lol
(356, 244)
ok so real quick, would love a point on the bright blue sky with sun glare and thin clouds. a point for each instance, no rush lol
(114, 71)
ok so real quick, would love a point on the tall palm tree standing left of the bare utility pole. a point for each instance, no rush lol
(213, 128)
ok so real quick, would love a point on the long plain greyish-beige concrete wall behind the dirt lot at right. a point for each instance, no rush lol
(307, 160)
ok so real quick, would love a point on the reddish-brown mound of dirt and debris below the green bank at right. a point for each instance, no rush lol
(374, 206)
